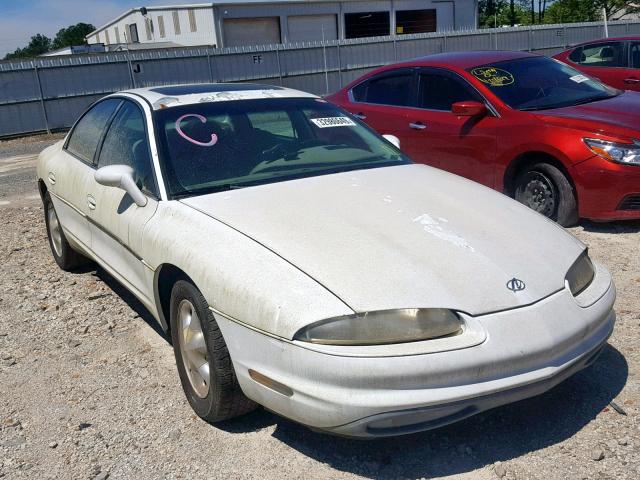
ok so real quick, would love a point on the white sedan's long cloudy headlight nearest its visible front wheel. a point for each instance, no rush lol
(383, 327)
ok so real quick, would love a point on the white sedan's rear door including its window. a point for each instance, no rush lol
(70, 173)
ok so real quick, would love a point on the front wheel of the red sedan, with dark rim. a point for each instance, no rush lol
(545, 189)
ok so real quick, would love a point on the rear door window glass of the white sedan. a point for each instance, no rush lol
(87, 133)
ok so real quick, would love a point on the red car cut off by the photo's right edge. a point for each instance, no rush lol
(615, 61)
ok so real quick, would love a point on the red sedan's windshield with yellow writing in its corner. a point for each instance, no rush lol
(538, 83)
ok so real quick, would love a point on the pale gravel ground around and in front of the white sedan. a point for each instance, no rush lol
(89, 389)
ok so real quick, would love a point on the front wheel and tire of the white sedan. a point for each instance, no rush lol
(196, 338)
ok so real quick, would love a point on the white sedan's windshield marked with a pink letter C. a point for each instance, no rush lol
(218, 146)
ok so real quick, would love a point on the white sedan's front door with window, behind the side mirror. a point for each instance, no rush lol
(116, 222)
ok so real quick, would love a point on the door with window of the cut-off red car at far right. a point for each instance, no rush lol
(606, 61)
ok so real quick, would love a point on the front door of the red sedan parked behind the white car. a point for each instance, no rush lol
(465, 146)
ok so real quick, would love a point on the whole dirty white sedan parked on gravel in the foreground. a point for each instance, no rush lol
(301, 262)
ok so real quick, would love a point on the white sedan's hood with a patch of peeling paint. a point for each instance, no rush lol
(403, 237)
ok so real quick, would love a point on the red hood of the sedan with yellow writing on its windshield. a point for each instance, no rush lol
(618, 115)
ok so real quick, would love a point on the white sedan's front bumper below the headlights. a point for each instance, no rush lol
(527, 351)
